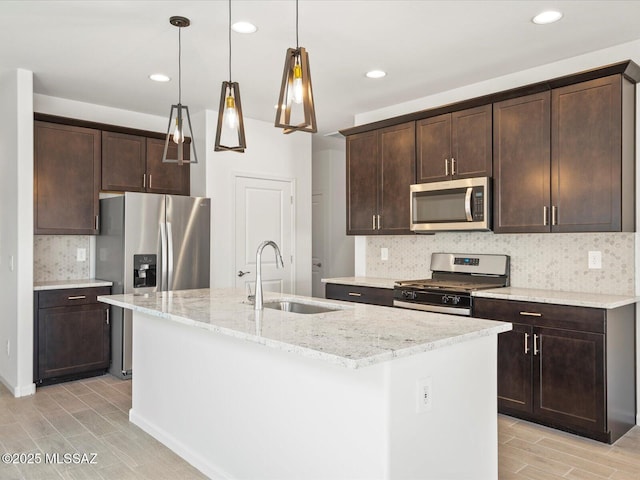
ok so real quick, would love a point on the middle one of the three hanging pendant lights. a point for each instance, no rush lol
(230, 122)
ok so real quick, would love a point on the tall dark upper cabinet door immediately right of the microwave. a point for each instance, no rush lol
(522, 156)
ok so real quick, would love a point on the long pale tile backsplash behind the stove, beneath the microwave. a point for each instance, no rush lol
(549, 261)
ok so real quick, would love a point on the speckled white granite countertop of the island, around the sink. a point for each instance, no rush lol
(353, 336)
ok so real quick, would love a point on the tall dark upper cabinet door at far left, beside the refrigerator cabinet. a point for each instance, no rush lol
(66, 179)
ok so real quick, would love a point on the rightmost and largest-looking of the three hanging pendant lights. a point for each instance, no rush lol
(296, 110)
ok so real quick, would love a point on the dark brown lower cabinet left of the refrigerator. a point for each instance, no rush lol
(71, 334)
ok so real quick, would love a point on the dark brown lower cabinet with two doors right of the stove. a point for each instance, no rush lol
(567, 367)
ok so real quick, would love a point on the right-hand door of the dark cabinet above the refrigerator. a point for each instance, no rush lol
(168, 178)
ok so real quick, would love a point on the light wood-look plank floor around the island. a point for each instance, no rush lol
(90, 416)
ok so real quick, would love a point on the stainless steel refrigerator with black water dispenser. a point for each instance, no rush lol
(150, 243)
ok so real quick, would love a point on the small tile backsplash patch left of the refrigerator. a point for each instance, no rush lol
(54, 257)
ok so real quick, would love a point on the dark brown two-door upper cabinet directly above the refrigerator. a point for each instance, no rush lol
(133, 163)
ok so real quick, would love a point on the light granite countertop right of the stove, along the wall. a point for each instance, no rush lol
(576, 299)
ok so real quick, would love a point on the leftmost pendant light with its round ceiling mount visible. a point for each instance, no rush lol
(176, 130)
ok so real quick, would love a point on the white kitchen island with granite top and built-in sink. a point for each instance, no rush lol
(358, 391)
